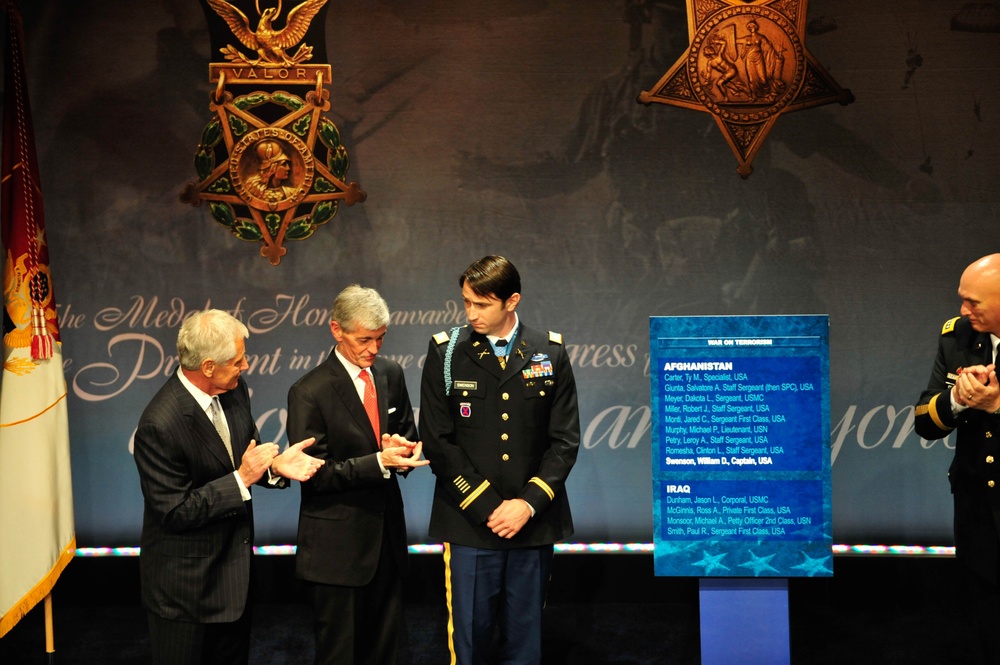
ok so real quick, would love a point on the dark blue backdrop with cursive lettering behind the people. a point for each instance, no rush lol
(512, 128)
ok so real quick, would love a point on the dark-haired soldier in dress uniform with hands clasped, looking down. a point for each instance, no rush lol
(500, 426)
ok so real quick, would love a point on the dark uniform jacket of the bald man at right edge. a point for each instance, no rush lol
(977, 448)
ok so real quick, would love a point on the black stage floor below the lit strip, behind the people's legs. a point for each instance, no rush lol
(602, 609)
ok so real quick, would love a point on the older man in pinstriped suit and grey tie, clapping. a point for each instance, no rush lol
(197, 454)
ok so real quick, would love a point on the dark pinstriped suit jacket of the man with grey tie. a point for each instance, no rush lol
(197, 532)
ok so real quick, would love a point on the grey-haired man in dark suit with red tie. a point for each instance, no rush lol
(352, 532)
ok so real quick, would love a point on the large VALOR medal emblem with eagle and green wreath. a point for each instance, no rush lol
(270, 166)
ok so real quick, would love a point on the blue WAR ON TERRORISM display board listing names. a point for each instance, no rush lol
(741, 446)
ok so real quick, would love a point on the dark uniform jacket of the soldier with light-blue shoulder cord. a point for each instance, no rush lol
(500, 434)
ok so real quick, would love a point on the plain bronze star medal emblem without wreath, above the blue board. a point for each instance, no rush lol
(746, 65)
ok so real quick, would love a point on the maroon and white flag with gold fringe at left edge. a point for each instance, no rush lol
(37, 537)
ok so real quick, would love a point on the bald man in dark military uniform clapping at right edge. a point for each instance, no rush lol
(963, 394)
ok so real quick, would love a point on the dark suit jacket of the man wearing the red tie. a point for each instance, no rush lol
(348, 505)
